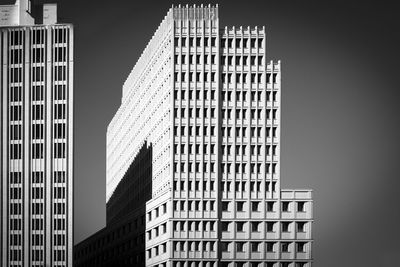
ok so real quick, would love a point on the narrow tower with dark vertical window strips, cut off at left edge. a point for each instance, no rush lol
(36, 137)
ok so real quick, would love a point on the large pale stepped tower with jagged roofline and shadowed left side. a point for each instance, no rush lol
(205, 102)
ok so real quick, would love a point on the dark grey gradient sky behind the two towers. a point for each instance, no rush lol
(340, 123)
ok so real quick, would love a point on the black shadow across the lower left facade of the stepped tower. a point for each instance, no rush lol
(122, 241)
